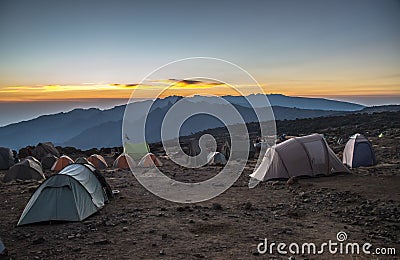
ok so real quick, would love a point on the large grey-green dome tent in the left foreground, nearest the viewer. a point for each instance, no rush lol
(73, 194)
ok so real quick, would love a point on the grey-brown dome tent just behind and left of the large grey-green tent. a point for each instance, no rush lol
(25, 170)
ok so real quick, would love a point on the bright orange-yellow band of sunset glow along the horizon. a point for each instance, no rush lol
(187, 88)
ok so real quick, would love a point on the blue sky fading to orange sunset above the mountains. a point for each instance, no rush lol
(61, 54)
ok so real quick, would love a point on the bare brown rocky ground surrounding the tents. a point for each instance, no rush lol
(137, 224)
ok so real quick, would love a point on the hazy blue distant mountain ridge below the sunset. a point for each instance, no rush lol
(87, 128)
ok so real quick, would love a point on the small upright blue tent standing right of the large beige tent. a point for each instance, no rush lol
(358, 152)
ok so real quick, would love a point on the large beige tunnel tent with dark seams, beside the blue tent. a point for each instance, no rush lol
(300, 156)
